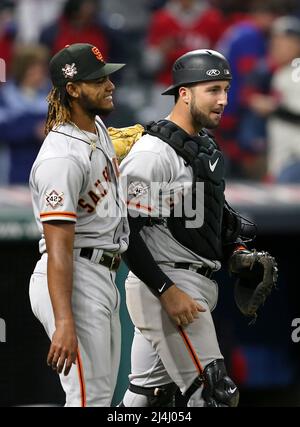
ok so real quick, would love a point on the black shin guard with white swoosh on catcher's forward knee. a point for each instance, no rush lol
(218, 389)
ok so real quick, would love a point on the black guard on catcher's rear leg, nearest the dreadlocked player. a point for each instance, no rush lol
(162, 396)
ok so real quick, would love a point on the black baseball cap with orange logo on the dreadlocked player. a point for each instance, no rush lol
(79, 61)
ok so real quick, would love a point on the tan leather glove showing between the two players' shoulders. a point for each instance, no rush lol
(124, 138)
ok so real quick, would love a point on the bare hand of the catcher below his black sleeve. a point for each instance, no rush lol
(181, 308)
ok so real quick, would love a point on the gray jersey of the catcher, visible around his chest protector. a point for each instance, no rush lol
(153, 172)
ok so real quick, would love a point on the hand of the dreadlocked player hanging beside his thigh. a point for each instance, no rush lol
(63, 349)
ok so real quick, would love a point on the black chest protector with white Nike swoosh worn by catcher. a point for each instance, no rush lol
(207, 163)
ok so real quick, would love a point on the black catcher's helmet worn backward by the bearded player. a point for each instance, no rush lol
(200, 65)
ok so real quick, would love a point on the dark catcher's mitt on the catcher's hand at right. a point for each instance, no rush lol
(256, 277)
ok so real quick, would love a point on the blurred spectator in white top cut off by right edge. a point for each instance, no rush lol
(283, 128)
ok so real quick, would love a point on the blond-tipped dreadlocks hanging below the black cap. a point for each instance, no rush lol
(58, 109)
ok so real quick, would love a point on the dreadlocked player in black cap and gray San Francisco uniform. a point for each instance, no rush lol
(81, 214)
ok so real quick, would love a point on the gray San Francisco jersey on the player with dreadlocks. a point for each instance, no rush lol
(72, 181)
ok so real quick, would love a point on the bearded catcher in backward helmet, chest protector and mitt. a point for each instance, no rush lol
(173, 253)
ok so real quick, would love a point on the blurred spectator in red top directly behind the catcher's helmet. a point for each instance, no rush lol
(180, 26)
